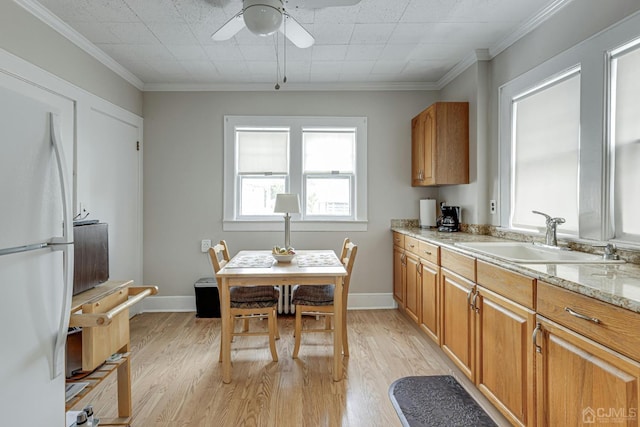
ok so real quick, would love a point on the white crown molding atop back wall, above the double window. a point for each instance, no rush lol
(288, 87)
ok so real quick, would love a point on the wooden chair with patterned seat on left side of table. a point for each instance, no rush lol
(248, 302)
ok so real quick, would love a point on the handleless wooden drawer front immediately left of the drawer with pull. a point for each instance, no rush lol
(514, 286)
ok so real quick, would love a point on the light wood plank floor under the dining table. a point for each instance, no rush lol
(177, 380)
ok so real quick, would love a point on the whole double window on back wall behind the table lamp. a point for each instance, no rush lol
(323, 159)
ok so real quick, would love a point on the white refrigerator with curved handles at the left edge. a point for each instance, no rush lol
(36, 253)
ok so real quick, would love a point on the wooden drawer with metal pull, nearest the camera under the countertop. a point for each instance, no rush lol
(611, 326)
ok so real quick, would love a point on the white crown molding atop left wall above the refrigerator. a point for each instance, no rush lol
(42, 13)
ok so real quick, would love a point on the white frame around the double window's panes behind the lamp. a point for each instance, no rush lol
(358, 219)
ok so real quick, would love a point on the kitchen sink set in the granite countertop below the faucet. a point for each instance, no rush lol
(531, 253)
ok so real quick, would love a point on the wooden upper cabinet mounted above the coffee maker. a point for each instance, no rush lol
(440, 145)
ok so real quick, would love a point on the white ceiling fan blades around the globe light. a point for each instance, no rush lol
(265, 17)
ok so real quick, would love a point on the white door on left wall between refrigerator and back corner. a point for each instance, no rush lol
(109, 185)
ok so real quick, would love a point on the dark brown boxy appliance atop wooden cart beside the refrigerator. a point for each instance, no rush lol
(91, 255)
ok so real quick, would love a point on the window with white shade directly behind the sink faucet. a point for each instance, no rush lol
(545, 153)
